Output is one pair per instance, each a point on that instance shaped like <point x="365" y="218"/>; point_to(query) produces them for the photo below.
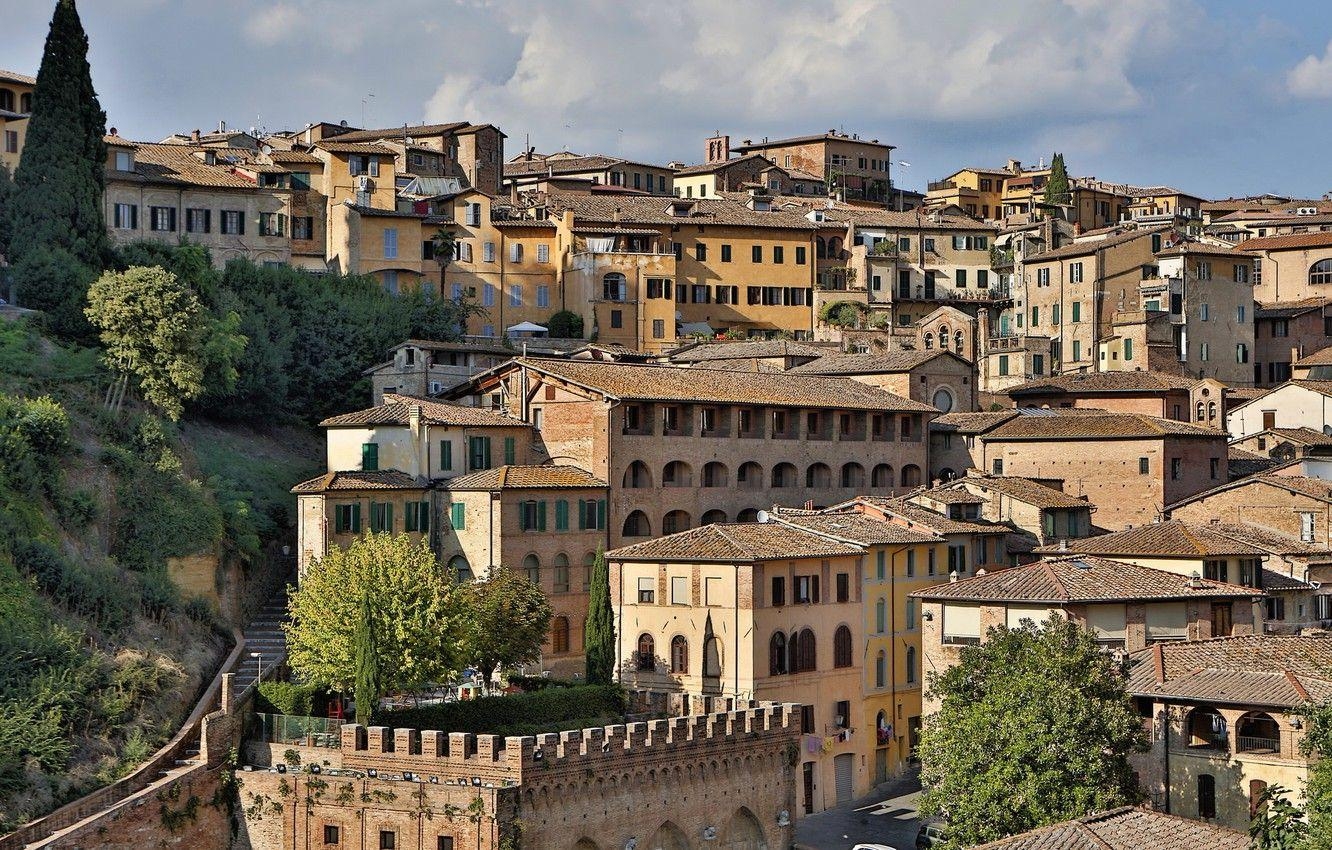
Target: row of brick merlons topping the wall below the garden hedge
<point x="491" y="760"/>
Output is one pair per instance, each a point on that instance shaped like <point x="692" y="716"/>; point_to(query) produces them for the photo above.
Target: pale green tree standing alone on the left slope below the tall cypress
<point x="154" y="331"/>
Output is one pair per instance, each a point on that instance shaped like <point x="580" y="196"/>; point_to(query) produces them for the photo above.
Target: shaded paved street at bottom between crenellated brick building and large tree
<point x="886" y="817"/>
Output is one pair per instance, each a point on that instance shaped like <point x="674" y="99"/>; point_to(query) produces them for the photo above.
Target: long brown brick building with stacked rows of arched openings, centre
<point x="688" y="447"/>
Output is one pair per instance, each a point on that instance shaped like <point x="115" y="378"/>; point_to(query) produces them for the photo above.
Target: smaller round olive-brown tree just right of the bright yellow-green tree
<point x="508" y="622"/>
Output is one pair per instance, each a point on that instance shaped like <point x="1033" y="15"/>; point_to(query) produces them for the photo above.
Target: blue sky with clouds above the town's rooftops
<point x="1218" y="98"/>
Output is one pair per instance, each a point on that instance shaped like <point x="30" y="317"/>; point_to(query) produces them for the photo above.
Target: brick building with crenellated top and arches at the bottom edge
<point x="684" y="783"/>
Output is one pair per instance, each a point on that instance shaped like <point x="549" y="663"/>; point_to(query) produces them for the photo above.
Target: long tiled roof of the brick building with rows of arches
<point x="719" y="386"/>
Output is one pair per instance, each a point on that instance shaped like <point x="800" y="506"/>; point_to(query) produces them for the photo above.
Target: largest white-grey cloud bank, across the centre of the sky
<point x="591" y="67"/>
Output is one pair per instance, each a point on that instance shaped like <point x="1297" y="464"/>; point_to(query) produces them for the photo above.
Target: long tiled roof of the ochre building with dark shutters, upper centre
<point x="656" y="210"/>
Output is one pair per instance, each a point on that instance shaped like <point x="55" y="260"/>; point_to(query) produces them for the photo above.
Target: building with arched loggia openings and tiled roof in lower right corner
<point x="1219" y="716"/>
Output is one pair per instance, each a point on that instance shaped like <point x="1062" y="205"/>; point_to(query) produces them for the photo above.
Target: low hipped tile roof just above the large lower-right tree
<point x="1081" y="580"/>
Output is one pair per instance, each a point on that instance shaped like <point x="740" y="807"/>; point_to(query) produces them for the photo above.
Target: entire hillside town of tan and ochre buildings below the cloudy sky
<point x="673" y="506"/>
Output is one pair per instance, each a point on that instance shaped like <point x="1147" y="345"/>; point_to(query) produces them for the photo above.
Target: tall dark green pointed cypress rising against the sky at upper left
<point x="62" y="175"/>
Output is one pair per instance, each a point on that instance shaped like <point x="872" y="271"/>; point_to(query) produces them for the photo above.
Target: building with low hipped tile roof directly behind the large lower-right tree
<point x="1129" y="607"/>
